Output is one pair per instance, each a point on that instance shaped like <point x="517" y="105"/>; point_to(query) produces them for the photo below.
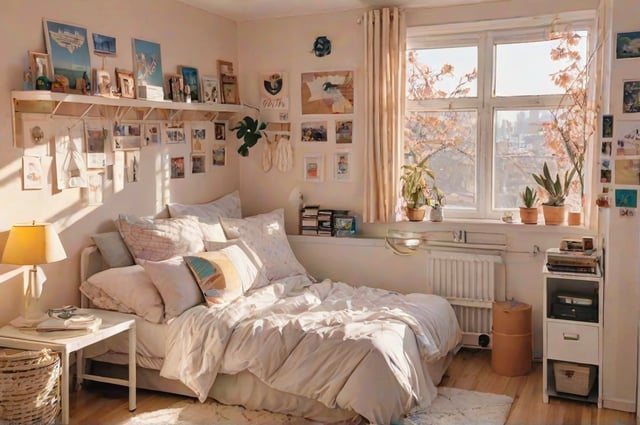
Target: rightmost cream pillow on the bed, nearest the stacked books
<point x="264" y="234"/>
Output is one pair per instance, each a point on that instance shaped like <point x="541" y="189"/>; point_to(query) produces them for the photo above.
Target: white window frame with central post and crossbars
<point x="485" y="35"/>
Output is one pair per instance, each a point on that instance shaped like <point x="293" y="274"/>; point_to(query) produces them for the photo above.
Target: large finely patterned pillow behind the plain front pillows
<point x="157" y="239"/>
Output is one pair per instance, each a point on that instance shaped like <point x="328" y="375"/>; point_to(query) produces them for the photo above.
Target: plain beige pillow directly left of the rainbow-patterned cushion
<point x="176" y="285"/>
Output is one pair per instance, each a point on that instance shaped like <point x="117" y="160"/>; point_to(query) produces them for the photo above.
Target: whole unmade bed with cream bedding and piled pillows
<point x="235" y="317"/>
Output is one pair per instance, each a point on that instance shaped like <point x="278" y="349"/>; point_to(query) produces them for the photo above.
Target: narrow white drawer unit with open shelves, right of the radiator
<point x="572" y="330"/>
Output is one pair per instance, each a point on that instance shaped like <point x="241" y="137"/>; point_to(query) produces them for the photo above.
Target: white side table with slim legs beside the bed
<point x="67" y="342"/>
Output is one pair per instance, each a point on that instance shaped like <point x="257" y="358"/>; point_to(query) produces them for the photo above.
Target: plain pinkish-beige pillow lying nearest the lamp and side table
<point x="125" y="289"/>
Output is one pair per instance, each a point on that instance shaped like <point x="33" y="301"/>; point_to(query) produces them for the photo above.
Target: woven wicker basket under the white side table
<point x="29" y="387"/>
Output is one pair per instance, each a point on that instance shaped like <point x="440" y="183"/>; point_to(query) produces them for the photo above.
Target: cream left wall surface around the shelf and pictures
<point x="187" y="36"/>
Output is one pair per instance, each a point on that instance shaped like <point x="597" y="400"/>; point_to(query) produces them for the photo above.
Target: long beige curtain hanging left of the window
<point x="385" y="46"/>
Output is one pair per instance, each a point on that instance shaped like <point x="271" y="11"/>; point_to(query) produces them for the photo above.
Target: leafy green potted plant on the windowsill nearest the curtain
<point x="415" y="188"/>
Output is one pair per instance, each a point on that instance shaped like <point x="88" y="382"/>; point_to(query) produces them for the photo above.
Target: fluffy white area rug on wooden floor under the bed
<point x="451" y="407"/>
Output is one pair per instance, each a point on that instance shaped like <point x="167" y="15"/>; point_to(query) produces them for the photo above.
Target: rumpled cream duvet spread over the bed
<point x="360" y="349"/>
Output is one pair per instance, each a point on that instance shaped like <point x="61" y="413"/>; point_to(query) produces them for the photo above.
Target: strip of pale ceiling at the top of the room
<point x="250" y="10"/>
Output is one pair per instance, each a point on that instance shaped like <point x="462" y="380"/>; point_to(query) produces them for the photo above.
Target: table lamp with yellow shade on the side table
<point x="33" y="244"/>
